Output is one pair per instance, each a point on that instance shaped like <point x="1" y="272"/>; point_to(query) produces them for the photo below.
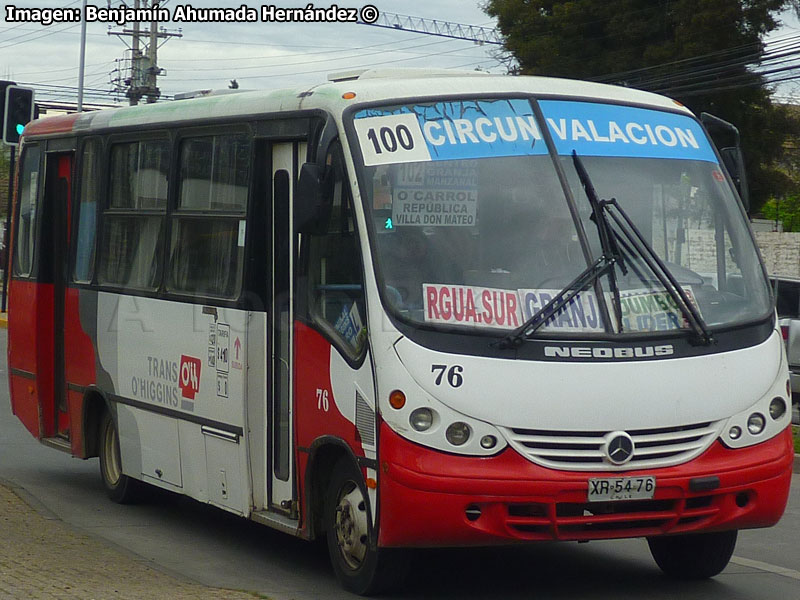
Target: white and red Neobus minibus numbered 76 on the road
<point x="406" y="309"/>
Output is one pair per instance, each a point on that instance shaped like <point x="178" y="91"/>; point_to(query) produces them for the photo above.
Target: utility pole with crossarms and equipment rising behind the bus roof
<point x="144" y="69"/>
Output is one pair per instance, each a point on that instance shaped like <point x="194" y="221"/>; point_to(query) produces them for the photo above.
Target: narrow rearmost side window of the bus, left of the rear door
<point x="27" y="214"/>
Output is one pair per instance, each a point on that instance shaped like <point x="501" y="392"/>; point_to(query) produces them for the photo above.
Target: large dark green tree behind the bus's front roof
<point x="655" y="45"/>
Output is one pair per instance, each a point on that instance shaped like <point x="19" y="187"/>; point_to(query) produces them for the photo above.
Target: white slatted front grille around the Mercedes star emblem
<point x="584" y="451"/>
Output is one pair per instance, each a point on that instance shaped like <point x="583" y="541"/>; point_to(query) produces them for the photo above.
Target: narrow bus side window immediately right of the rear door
<point x="87" y="211"/>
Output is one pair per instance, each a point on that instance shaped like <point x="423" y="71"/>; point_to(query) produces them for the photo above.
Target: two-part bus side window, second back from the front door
<point x="133" y="223"/>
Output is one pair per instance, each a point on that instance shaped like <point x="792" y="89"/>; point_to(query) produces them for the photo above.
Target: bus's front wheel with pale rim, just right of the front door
<point x="360" y="566"/>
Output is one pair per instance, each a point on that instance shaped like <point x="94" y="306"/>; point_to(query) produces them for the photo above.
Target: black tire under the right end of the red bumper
<point x="696" y="556"/>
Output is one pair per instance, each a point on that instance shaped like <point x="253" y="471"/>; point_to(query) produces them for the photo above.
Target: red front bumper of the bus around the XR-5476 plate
<point x="429" y="498"/>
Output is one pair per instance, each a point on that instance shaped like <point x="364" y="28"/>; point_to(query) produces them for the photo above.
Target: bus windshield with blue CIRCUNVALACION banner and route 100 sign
<point x="475" y="226"/>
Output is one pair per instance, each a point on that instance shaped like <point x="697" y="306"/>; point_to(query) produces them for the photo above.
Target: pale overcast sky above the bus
<point x="257" y="55"/>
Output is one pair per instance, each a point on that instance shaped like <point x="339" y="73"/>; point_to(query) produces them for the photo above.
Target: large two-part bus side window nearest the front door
<point x="208" y="229"/>
